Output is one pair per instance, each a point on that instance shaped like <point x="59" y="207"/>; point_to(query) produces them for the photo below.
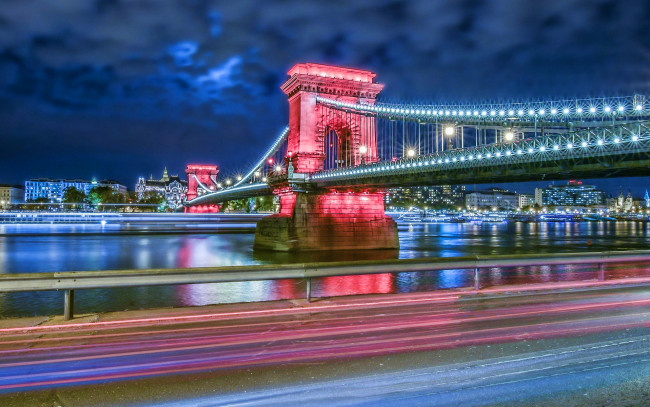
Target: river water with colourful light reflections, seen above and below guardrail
<point x="46" y="248"/>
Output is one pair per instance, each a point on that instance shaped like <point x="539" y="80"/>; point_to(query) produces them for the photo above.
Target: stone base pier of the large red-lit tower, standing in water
<point x="335" y="220"/>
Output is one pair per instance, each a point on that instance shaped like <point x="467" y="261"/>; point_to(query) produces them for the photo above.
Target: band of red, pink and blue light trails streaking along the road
<point x="351" y="329"/>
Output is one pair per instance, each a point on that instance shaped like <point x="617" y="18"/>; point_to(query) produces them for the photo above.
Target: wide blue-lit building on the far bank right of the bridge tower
<point x="572" y="194"/>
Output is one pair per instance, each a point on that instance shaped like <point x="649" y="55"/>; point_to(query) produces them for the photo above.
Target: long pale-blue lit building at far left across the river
<point x="53" y="189"/>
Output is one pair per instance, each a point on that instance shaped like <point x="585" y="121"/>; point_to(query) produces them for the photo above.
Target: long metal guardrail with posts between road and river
<point x="74" y="280"/>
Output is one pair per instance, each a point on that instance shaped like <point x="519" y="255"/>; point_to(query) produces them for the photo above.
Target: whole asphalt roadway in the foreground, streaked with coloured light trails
<point x="445" y="348"/>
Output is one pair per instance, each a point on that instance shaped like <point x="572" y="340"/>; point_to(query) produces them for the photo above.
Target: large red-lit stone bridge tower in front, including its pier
<point x="336" y="218"/>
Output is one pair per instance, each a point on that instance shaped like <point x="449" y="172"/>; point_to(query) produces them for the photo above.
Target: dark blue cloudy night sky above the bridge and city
<point x="119" y="89"/>
